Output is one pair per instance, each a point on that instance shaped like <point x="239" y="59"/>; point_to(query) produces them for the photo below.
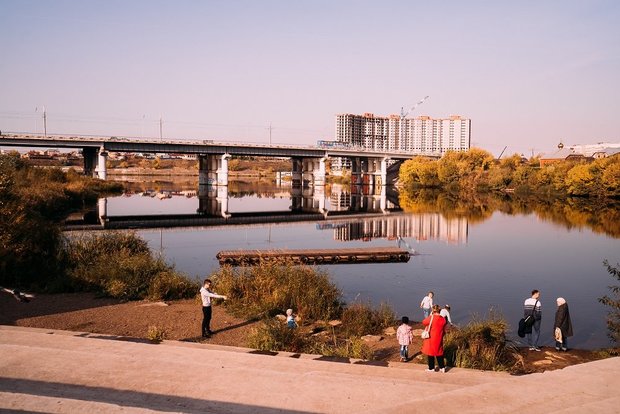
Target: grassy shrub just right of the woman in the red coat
<point x="482" y="344"/>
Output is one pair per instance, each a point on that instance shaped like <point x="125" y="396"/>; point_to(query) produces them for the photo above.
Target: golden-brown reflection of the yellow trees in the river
<point x="600" y="215"/>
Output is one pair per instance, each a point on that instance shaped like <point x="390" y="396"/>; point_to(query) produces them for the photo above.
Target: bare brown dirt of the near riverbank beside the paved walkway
<point x="180" y="320"/>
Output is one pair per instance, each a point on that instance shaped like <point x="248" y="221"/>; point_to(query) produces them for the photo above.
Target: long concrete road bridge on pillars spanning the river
<point x="367" y="166"/>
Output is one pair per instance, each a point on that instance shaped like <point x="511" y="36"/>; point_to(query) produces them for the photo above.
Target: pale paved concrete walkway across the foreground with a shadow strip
<point x="58" y="372"/>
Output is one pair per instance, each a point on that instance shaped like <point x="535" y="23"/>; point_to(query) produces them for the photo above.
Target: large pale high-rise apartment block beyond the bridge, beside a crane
<point x="421" y="135"/>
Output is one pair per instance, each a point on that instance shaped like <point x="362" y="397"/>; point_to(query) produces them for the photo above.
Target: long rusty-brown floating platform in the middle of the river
<point x="315" y="256"/>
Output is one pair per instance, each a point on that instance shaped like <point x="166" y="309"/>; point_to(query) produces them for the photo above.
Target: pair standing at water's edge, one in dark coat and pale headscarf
<point x="562" y="326"/>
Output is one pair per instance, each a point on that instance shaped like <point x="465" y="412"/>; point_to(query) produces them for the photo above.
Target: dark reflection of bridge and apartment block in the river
<point x="352" y="213"/>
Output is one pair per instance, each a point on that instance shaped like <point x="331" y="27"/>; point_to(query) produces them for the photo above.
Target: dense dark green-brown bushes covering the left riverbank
<point x="36" y="255"/>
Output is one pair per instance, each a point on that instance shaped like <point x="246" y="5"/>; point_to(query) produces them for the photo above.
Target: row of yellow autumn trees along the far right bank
<point x="477" y="170"/>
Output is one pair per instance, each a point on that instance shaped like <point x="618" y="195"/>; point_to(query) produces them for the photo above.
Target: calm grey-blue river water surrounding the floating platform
<point x="474" y="265"/>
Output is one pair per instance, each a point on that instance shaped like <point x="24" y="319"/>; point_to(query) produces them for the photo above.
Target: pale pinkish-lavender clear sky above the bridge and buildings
<point x="529" y="74"/>
